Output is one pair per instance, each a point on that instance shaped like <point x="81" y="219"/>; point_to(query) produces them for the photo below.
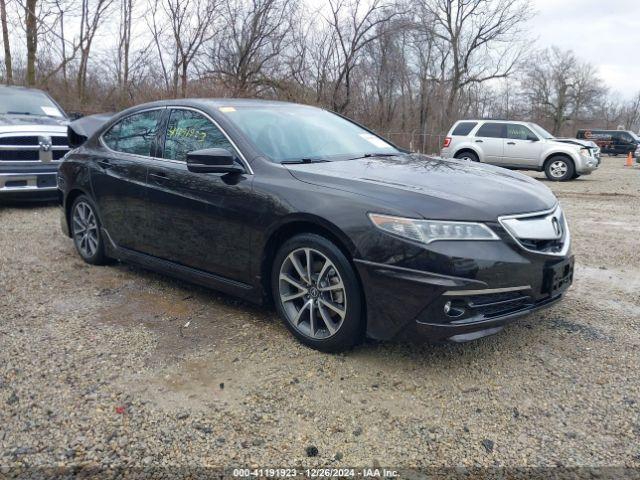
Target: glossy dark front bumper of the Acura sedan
<point x="457" y="291"/>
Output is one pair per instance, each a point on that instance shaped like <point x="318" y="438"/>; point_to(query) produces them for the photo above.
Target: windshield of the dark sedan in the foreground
<point x="295" y="133"/>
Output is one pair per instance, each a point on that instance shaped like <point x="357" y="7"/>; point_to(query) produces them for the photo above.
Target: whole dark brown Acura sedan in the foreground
<point x="347" y="234"/>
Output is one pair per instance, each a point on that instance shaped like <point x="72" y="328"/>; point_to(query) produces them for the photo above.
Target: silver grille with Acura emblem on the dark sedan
<point x="540" y="232"/>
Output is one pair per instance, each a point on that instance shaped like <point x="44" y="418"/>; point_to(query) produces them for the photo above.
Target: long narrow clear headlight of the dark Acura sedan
<point x="427" y="231"/>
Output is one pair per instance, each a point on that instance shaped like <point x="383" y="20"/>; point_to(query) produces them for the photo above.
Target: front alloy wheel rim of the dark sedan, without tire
<point x="312" y="293"/>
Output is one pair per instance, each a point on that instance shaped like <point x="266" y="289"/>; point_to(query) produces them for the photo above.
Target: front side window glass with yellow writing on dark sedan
<point x="188" y="131"/>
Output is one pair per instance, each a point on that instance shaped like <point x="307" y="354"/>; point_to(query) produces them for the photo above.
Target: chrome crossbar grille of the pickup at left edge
<point x="33" y="148"/>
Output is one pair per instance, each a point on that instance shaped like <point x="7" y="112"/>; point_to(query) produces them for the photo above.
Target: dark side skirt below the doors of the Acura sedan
<point x="189" y="274"/>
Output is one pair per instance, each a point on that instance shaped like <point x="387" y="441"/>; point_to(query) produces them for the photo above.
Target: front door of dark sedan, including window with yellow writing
<point x="198" y="219"/>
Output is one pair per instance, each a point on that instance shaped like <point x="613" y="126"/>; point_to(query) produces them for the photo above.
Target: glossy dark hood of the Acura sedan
<point x="435" y="188"/>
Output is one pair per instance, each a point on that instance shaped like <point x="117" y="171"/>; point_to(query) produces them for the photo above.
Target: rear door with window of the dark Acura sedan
<point x="120" y="175"/>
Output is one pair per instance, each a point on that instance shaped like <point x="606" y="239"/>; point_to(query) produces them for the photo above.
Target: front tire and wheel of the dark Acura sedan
<point x="323" y="312"/>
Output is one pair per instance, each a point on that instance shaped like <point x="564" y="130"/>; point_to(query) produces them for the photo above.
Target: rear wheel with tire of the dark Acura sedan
<point x="85" y="228"/>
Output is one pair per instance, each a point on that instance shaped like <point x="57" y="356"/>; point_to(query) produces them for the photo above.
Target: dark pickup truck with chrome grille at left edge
<point x="33" y="139"/>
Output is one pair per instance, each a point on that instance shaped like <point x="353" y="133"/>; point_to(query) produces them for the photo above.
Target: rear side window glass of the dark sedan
<point x="135" y="133"/>
